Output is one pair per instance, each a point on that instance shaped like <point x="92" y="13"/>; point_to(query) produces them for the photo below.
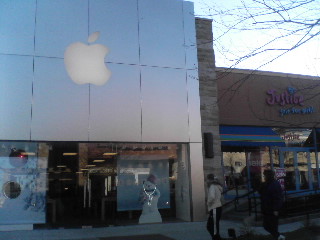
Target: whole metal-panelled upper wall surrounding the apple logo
<point x="153" y="92"/>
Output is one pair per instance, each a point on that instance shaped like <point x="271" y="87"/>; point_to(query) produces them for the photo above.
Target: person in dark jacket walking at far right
<point x="271" y="203"/>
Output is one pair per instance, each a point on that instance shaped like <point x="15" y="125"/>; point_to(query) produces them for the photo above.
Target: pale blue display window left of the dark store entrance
<point x="22" y="182"/>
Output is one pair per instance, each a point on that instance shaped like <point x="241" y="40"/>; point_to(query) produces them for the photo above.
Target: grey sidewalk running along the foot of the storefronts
<point x="177" y="231"/>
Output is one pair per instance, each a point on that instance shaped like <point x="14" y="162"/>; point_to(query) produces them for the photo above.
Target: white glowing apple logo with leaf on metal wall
<point x="85" y="63"/>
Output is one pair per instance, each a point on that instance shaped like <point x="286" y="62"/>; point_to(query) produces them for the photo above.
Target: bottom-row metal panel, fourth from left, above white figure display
<point x="164" y="105"/>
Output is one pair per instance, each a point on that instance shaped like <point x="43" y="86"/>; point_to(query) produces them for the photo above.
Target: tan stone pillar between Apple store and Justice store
<point x="208" y="94"/>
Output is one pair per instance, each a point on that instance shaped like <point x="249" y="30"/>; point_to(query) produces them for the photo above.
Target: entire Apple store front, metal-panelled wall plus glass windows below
<point x="99" y="98"/>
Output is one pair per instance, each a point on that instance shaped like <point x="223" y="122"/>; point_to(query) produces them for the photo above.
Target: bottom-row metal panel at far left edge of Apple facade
<point x="15" y="96"/>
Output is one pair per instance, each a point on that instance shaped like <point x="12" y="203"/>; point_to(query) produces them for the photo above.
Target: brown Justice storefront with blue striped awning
<point x="269" y="120"/>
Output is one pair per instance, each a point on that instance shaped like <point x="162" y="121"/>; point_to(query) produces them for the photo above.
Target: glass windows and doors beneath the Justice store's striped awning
<point x="294" y="164"/>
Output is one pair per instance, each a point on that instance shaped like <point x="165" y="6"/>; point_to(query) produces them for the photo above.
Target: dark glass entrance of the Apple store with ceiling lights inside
<point x="82" y="186"/>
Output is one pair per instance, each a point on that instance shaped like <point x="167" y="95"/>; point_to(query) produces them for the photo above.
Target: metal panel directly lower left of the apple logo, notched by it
<point x="60" y="108"/>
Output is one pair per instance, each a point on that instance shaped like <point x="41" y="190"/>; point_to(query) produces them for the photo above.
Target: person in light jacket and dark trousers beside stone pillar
<point x="214" y="203"/>
